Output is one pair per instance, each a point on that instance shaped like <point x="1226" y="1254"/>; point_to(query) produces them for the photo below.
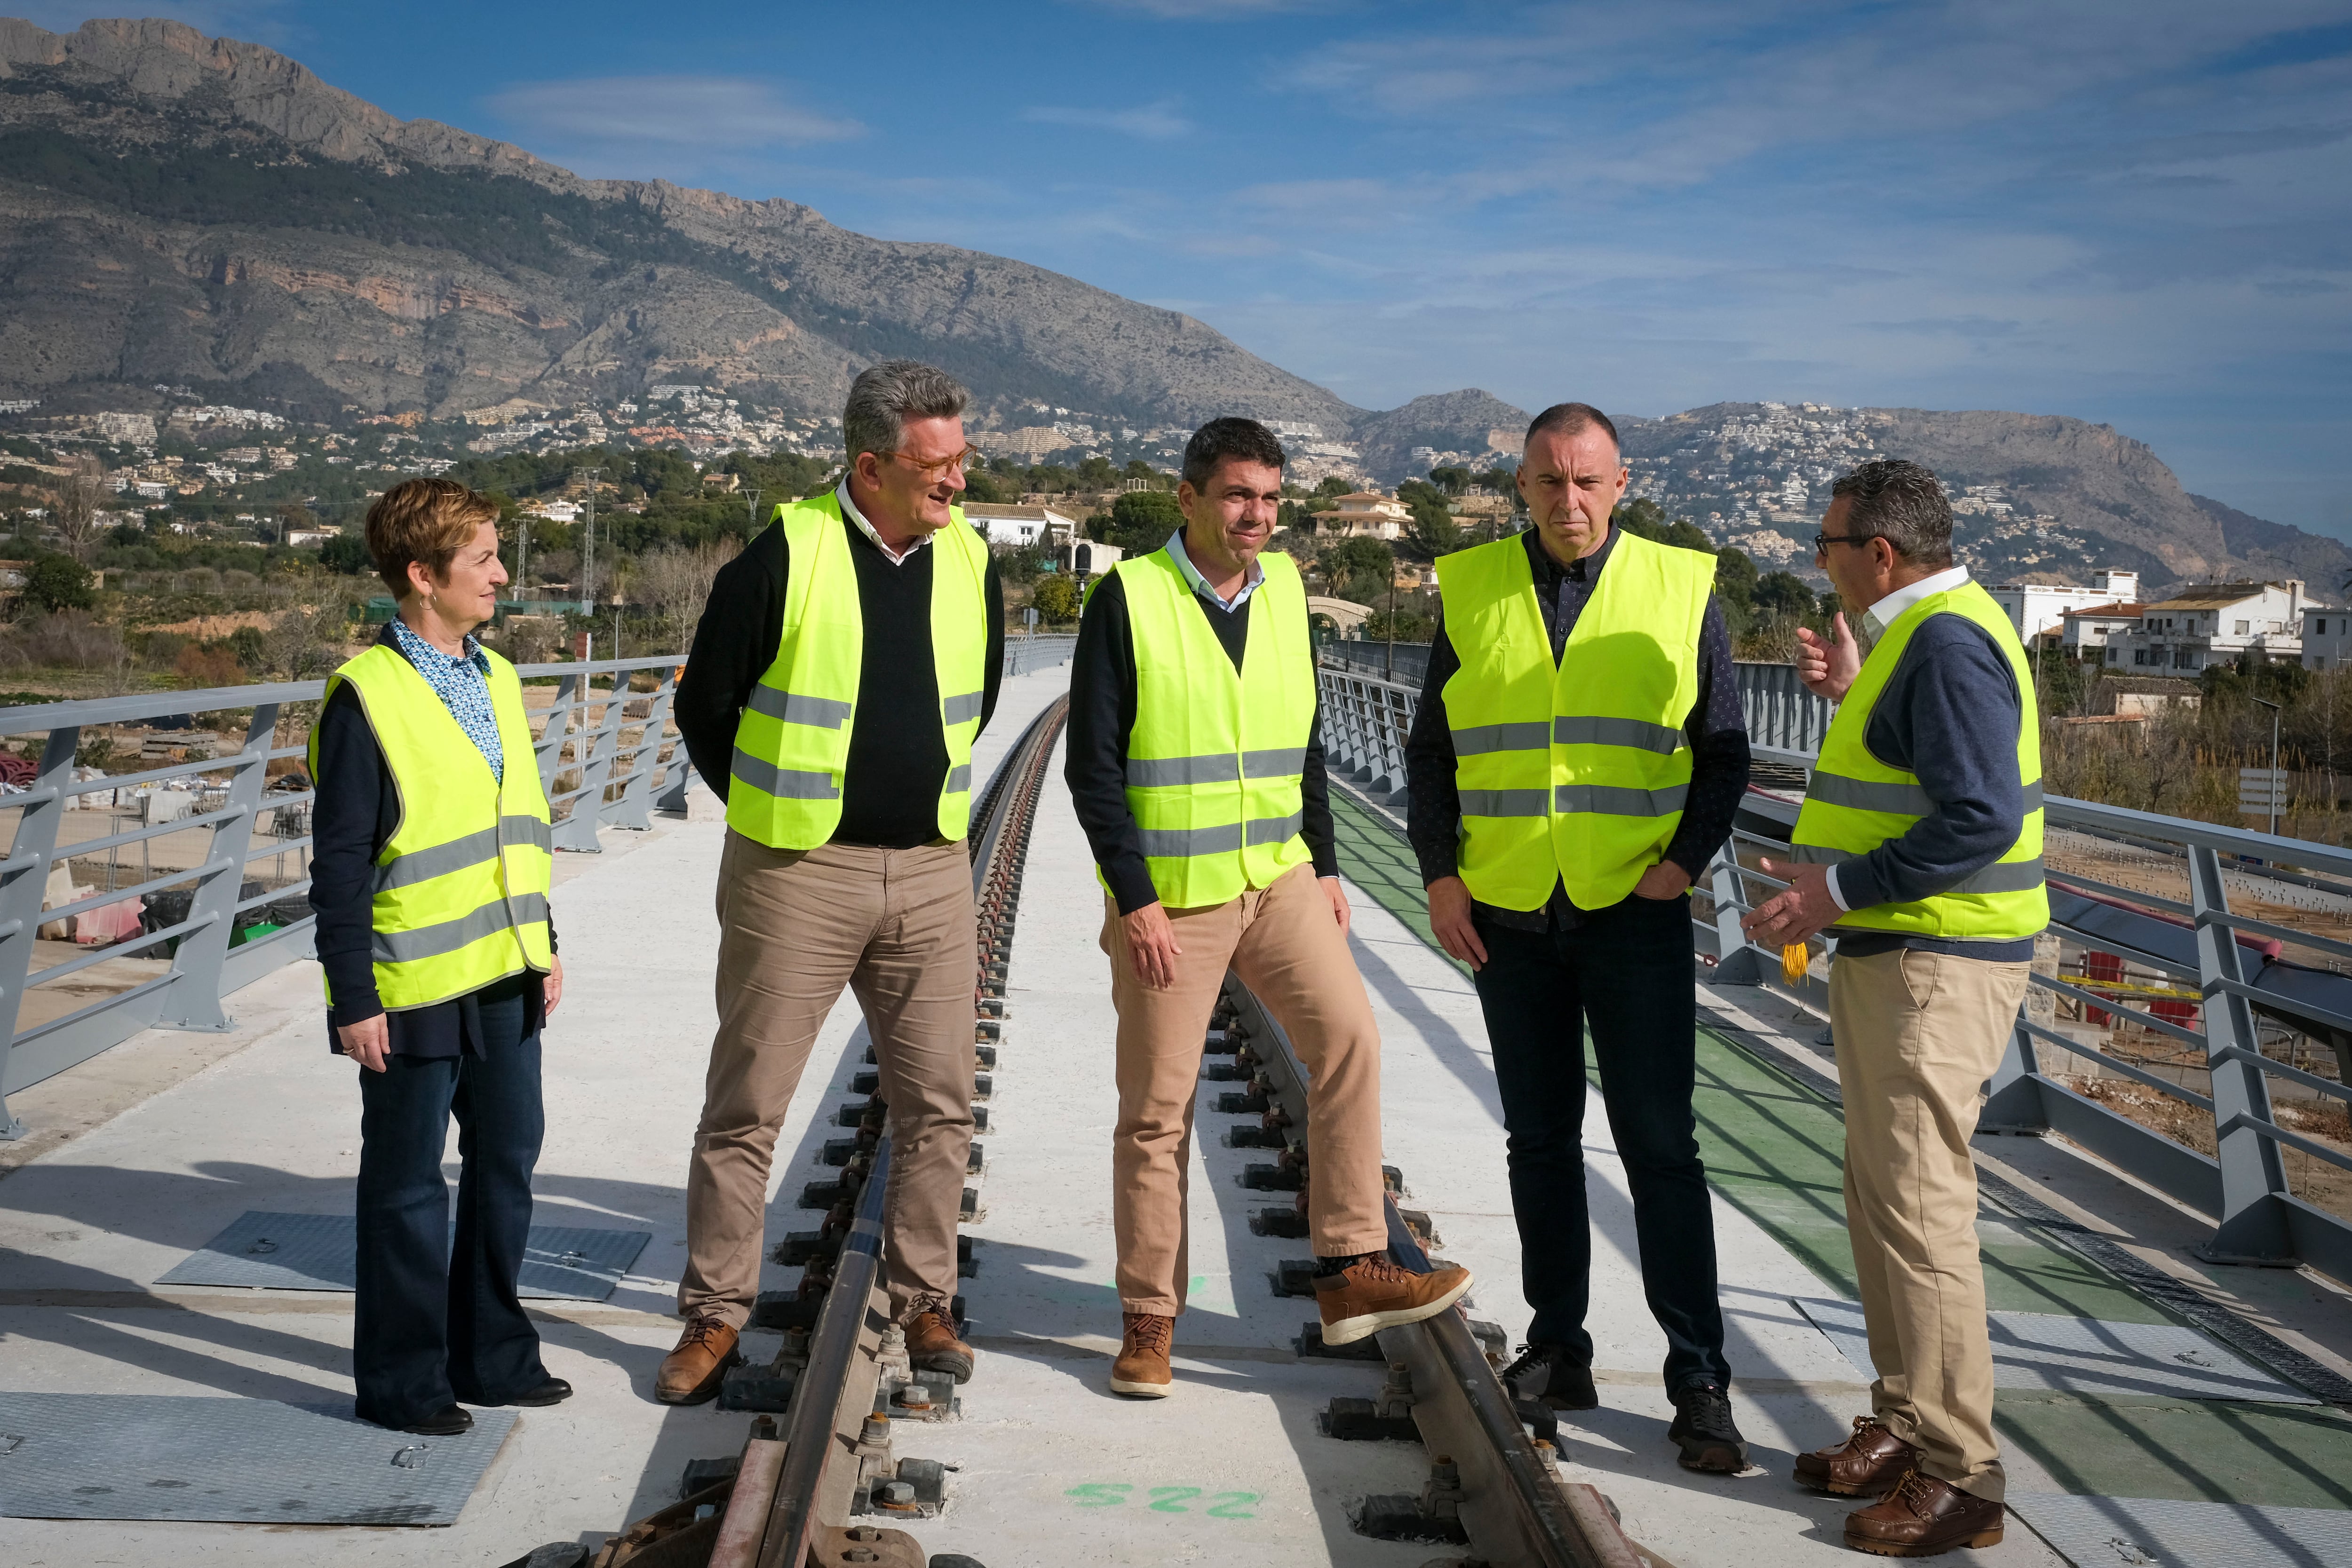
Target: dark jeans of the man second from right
<point x="1626" y="974"/>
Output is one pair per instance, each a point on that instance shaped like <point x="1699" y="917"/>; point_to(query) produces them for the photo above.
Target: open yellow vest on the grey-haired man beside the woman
<point x="794" y="737"/>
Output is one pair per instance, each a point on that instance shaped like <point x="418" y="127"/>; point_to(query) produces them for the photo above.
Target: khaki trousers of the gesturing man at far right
<point x="1918" y="1036"/>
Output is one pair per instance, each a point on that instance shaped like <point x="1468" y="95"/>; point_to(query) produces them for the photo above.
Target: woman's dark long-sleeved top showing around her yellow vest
<point x="354" y="819"/>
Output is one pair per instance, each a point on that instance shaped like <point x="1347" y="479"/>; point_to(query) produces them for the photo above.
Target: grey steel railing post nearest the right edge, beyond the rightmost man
<point x="2252" y="1174"/>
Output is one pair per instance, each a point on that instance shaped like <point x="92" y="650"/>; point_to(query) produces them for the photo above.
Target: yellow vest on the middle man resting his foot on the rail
<point x="1217" y="756"/>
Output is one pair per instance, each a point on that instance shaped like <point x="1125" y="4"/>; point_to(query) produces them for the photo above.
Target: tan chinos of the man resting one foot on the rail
<point x="1288" y="951"/>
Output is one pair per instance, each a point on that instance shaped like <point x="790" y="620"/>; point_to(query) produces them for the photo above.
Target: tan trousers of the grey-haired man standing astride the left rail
<point x="796" y="927"/>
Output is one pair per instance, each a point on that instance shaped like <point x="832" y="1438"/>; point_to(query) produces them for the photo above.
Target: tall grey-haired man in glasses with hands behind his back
<point x="841" y="674"/>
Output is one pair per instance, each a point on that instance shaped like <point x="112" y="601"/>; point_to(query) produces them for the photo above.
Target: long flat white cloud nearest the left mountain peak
<point x="686" y="112"/>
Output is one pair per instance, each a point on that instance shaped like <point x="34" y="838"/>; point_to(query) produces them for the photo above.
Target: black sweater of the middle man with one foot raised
<point x="1104" y="713"/>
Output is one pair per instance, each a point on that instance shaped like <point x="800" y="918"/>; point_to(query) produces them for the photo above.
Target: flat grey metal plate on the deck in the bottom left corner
<point x="250" y="1461"/>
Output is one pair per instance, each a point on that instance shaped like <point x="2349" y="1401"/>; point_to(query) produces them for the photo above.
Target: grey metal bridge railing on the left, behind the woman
<point x="211" y="918"/>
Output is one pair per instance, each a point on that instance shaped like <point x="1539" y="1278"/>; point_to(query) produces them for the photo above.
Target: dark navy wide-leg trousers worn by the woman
<point x="439" y="1322"/>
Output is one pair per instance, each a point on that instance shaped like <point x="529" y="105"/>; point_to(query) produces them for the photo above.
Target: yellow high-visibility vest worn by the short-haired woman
<point x="462" y="887"/>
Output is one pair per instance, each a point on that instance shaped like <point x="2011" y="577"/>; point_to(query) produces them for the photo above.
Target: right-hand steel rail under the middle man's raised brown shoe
<point x="1516" y="1508"/>
